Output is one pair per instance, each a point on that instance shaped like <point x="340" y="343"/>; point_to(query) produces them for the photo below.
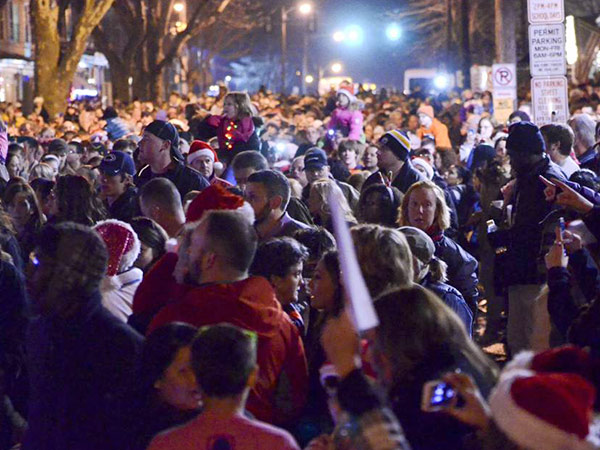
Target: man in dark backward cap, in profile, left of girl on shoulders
<point x="159" y="149"/>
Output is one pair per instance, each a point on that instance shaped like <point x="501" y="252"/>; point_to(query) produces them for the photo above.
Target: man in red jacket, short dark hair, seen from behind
<point x="221" y="251"/>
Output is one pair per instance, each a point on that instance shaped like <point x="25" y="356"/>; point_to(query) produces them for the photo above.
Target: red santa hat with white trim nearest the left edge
<point x="122" y="243"/>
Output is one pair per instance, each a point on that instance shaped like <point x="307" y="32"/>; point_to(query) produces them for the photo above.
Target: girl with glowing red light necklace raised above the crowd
<point x="234" y="129"/>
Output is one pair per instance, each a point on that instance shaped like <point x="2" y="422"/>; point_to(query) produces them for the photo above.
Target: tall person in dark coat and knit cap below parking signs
<point x="524" y="274"/>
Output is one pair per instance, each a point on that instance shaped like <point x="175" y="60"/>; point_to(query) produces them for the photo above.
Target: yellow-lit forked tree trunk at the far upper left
<point x="56" y="60"/>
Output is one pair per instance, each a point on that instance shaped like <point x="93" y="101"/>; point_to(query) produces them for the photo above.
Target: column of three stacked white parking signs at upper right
<point x="547" y="60"/>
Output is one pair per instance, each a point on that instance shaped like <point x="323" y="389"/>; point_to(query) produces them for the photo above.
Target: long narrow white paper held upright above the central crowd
<point x="361" y="304"/>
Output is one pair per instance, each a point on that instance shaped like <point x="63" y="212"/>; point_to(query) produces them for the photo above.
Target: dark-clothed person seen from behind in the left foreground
<point x="81" y="359"/>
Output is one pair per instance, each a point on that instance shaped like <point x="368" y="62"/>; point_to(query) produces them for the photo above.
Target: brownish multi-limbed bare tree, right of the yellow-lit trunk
<point x="140" y="39"/>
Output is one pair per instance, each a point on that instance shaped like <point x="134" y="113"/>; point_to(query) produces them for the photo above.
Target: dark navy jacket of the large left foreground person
<point x="81" y="371"/>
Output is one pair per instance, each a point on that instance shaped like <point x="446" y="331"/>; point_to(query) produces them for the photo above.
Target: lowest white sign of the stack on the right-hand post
<point x="550" y="100"/>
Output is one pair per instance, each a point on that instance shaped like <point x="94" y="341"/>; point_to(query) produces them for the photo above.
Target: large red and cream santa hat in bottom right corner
<point x="547" y="411"/>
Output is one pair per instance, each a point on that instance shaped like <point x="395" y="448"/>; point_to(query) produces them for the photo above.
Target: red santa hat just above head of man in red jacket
<point x="217" y="197"/>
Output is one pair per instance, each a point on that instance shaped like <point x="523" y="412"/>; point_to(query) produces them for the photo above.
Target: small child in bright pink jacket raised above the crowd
<point x="347" y="117"/>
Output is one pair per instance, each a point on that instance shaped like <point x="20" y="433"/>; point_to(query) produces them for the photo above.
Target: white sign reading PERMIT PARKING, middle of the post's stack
<point x="547" y="55"/>
